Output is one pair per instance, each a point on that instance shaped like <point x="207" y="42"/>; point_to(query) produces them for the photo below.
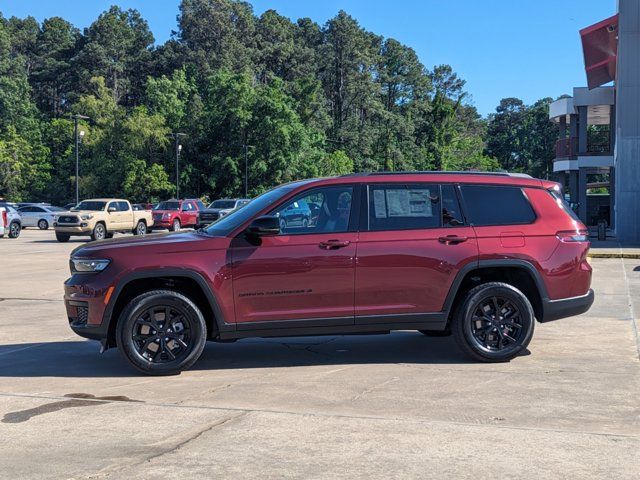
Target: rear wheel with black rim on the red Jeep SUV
<point x="488" y="337"/>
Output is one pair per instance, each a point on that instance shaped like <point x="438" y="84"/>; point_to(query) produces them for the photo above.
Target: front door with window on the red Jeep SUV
<point x="307" y="271"/>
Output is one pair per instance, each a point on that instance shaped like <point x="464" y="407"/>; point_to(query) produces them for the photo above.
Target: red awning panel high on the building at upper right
<point x="600" y="48"/>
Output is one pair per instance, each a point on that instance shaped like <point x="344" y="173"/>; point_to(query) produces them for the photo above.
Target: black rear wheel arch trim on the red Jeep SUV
<point x="519" y="273"/>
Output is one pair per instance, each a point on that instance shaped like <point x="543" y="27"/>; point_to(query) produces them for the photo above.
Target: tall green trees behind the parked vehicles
<point x="289" y="99"/>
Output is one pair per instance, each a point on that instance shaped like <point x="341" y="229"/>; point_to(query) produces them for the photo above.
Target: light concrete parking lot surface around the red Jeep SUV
<point x="389" y="406"/>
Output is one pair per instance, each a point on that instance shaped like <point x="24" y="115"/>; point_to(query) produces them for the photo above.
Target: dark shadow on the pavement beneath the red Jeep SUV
<point x="82" y="358"/>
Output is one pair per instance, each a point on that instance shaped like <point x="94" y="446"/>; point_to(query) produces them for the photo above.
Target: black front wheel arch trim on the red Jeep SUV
<point x="187" y="282"/>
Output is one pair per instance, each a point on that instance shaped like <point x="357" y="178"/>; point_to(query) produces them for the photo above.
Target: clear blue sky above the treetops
<point x="503" y="48"/>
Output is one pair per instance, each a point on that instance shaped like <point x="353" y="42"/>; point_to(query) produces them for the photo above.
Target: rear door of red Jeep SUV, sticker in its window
<point x="410" y="249"/>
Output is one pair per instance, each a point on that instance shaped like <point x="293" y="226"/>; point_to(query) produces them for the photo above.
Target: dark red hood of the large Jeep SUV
<point x="169" y="240"/>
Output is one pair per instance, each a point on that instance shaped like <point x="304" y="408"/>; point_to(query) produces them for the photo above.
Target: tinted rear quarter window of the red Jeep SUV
<point x="488" y="205"/>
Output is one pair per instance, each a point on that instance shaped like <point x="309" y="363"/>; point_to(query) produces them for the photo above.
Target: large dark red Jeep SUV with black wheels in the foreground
<point x="479" y="256"/>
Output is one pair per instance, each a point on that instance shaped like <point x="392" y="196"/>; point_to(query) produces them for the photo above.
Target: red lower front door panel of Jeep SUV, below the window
<point x="292" y="277"/>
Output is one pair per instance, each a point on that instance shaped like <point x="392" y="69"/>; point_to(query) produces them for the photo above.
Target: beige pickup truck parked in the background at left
<point x="100" y="218"/>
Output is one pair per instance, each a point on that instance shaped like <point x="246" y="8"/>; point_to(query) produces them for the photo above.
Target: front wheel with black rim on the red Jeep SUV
<point x="137" y="331"/>
